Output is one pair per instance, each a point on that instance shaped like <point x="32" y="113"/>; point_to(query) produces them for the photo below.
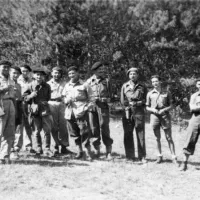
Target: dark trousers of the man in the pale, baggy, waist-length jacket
<point x="80" y="129"/>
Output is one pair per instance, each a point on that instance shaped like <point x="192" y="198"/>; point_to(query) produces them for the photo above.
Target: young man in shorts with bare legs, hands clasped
<point x="159" y="103"/>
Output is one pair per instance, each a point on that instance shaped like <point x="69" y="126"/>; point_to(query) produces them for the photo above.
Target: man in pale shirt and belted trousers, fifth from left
<point x="57" y="107"/>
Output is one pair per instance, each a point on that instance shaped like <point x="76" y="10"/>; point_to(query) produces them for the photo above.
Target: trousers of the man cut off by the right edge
<point x="192" y="135"/>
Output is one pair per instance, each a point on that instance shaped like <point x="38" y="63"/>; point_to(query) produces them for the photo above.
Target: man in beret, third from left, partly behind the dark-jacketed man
<point x="24" y="80"/>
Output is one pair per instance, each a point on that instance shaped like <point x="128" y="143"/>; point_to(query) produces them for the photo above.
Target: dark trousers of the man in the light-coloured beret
<point x="137" y="122"/>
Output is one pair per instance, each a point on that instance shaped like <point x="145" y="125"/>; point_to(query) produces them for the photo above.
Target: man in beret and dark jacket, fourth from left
<point x="38" y="94"/>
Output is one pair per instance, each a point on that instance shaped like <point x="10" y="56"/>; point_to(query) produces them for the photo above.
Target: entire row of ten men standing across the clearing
<point x="81" y="110"/>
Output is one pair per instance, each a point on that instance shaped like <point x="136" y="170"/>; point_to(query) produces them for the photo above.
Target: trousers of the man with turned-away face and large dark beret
<point x="99" y="124"/>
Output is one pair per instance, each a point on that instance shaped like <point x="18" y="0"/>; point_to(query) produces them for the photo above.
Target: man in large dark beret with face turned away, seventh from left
<point x="99" y="91"/>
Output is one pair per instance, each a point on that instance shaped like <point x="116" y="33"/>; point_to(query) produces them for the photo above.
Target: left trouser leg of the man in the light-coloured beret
<point x="128" y="126"/>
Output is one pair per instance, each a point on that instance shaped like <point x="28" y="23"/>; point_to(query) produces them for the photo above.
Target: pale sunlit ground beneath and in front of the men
<point x="65" y="178"/>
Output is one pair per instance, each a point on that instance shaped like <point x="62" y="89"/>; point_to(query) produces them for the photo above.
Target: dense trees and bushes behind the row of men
<point x="159" y="37"/>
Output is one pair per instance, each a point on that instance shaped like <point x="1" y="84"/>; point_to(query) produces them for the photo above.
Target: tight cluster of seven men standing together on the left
<point x="30" y="105"/>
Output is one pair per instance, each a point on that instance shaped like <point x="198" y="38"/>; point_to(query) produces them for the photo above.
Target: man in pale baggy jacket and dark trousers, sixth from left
<point x="75" y="95"/>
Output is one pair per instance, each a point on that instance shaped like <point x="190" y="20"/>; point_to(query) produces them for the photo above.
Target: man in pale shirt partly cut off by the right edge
<point x="193" y="128"/>
